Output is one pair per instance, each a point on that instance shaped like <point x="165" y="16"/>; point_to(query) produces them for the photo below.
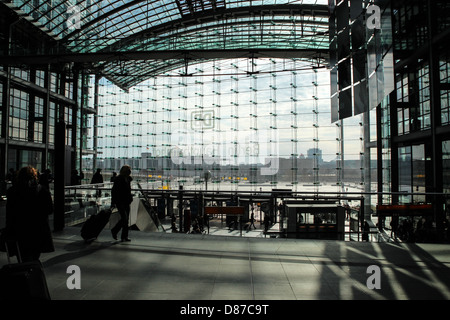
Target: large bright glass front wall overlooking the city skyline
<point x="269" y="127"/>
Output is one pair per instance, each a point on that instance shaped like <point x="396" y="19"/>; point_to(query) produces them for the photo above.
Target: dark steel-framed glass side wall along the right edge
<point x="414" y="129"/>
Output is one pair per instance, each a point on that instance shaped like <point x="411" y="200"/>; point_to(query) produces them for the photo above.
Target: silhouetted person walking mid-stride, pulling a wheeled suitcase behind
<point x="121" y="197"/>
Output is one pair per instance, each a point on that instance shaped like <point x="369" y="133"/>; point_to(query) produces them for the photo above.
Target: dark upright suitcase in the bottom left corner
<point x="23" y="280"/>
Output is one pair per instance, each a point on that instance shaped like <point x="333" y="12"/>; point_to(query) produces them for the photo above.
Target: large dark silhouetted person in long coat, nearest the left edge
<point x="27" y="209"/>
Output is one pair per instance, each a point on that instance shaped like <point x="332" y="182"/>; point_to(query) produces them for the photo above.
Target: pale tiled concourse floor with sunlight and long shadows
<point x="174" y="266"/>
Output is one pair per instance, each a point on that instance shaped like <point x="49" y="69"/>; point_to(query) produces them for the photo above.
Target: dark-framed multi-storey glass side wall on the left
<point x="33" y="111"/>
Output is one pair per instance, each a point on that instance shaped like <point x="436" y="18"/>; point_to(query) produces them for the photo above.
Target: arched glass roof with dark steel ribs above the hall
<point x="92" y="26"/>
